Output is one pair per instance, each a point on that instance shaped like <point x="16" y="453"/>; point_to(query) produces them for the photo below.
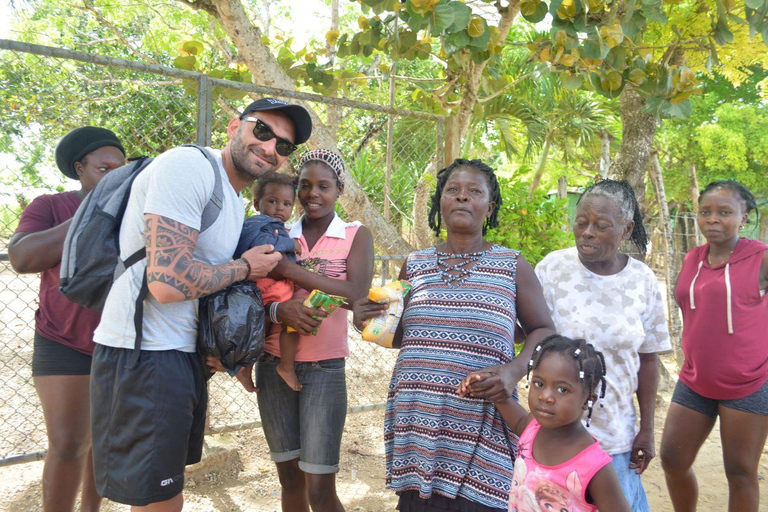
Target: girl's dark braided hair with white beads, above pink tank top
<point x="591" y="364"/>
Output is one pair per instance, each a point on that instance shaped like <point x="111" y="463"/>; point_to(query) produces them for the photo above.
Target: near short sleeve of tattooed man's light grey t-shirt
<point x="180" y="186"/>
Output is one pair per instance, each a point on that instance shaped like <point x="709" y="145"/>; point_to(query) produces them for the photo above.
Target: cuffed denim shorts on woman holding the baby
<point x="307" y="424"/>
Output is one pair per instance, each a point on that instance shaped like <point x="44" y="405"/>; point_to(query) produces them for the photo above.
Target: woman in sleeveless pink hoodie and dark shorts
<point x="721" y="292"/>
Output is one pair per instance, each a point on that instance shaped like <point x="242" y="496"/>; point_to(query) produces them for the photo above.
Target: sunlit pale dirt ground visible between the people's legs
<point x="242" y="478"/>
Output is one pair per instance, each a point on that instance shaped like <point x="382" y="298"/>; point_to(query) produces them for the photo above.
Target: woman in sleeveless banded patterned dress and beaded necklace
<point x="445" y="452"/>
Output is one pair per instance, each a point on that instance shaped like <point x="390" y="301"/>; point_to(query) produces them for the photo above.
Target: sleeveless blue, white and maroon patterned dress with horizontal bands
<point x="436" y="441"/>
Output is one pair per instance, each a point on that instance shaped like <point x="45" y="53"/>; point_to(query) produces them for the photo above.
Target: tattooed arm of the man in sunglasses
<point x="172" y="274"/>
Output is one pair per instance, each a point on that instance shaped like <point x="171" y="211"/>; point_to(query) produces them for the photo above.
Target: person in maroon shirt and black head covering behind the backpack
<point x="63" y="342"/>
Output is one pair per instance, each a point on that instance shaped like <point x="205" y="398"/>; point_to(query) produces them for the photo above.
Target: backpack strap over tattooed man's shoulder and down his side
<point x="210" y="214"/>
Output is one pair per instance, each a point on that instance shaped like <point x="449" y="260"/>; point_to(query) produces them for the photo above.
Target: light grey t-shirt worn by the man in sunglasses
<point x="177" y="185"/>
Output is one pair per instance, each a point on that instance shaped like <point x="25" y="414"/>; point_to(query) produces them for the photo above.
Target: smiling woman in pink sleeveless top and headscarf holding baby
<point x="303" y="428"/>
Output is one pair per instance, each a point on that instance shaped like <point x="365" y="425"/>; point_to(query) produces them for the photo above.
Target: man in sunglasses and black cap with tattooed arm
<point x="148" y="414"/>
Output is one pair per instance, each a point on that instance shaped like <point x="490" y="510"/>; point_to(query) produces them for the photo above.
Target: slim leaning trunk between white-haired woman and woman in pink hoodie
<point x="675" y="329"/>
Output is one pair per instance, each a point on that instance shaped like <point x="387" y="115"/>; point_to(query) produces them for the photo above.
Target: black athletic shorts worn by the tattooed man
<point x="147" y="422"/>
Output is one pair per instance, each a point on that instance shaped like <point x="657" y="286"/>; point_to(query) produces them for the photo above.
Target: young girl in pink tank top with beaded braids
<point x="559" y="465"/>
